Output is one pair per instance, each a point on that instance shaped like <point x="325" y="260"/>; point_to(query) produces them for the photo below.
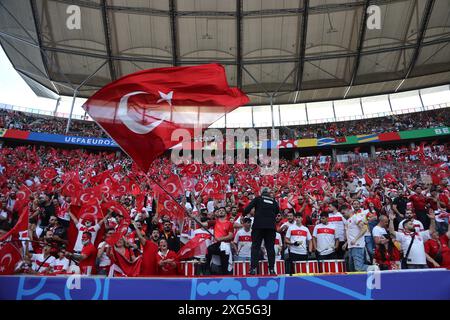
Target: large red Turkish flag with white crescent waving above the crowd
<point x="141" y="111"/>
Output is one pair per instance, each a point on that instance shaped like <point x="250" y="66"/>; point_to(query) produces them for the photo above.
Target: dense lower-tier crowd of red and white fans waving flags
<point x="372" y="207"/>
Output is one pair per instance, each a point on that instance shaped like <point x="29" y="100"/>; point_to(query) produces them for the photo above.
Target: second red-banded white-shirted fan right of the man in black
<point x="325" y="239"/>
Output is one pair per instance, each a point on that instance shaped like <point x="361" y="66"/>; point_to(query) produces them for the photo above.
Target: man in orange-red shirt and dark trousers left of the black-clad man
<point x="223" y="232"/>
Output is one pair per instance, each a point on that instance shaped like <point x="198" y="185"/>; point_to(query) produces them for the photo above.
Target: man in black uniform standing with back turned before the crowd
<point x="266" y="209"/>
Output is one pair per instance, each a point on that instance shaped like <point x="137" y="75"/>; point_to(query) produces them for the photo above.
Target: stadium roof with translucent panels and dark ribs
<point x="305" y="50"/>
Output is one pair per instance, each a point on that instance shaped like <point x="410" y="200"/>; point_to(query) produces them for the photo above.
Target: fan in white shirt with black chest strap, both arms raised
<point x="416" y="257"/>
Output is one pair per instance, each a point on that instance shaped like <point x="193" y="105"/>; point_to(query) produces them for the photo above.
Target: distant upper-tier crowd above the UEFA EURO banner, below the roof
<point x="429" y="119"/>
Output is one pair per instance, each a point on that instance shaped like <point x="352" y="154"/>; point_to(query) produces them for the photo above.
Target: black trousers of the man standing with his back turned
<point x="258" y="235"/>
